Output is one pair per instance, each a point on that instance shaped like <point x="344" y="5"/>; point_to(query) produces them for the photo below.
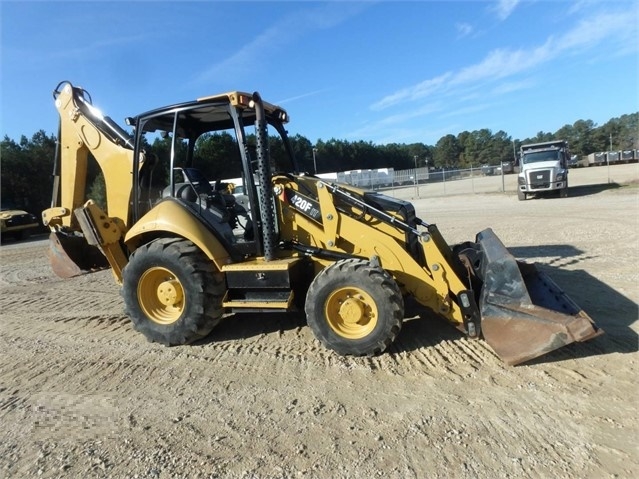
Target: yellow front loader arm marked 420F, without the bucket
<point x="346" y="224"/>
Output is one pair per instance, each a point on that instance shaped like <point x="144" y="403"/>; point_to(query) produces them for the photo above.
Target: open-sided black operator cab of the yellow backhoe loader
<point x="189" y="153"/>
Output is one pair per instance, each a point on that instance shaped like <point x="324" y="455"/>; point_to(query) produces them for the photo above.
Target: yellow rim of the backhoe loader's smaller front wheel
<point x="351" y="312"/>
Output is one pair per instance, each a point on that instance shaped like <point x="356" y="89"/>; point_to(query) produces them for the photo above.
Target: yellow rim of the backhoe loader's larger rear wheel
<point x="161" y="295"/>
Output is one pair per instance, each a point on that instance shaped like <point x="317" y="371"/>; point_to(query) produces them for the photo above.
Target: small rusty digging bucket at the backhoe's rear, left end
<point x="72" y="256"/>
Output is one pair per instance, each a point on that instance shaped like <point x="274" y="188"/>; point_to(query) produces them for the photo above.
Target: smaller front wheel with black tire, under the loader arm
<point x="354" y="308"/>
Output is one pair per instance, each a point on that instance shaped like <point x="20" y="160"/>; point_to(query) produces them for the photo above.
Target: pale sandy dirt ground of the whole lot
<point x="83" y="395"/>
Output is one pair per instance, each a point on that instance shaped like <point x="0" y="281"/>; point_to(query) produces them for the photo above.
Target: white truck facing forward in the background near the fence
<point x="543" y="169"/>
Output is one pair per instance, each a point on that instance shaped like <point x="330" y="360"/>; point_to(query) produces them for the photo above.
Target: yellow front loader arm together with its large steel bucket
<point x="478" y="286"/>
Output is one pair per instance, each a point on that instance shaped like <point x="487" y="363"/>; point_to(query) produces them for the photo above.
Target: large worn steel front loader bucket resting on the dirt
<point x="524" y="314"/>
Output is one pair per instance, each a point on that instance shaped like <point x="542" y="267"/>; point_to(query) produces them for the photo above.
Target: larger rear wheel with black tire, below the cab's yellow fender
<point x="172" y="292"/>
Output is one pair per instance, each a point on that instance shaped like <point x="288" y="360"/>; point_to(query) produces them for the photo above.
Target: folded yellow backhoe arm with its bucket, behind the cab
<point x="84" y="130"/>
